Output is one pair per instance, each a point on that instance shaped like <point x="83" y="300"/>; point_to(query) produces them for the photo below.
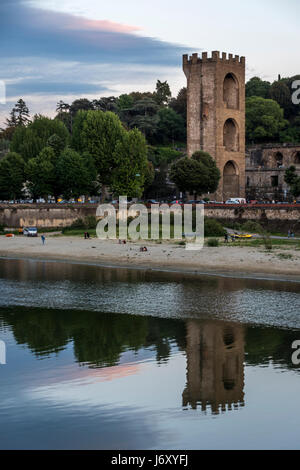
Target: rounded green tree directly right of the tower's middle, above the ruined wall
<point x="264" y="120"/>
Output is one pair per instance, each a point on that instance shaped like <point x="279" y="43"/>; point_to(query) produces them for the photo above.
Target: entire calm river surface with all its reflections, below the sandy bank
<point x="102" y="358"/>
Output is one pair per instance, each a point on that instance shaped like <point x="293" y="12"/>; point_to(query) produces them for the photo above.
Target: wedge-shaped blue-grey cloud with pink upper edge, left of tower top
<point x="28" y="31"/>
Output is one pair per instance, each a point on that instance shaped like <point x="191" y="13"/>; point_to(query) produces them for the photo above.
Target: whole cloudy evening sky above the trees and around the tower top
<point x="55" y="50"/>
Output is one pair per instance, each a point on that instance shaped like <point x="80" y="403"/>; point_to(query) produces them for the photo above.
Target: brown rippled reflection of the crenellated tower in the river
<point x="215" y="366"/>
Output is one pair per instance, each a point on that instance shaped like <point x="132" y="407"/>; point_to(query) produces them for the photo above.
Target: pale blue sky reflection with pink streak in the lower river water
<point x="54" y="403"/>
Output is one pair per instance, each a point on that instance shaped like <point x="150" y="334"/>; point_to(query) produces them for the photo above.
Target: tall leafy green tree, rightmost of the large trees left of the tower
<point x="130" y="157"/>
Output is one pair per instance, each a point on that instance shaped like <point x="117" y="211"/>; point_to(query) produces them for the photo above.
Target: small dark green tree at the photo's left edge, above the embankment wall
<point x="12" y="176"/>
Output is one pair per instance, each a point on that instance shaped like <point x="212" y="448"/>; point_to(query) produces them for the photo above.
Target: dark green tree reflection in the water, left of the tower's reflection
<point x="99" y="338"/>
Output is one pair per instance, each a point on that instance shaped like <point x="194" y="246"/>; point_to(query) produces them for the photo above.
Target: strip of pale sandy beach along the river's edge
<point x="165" y="256"/>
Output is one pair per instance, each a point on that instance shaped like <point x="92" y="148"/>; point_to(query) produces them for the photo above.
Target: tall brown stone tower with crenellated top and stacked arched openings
<point x="216" y="116"/>
